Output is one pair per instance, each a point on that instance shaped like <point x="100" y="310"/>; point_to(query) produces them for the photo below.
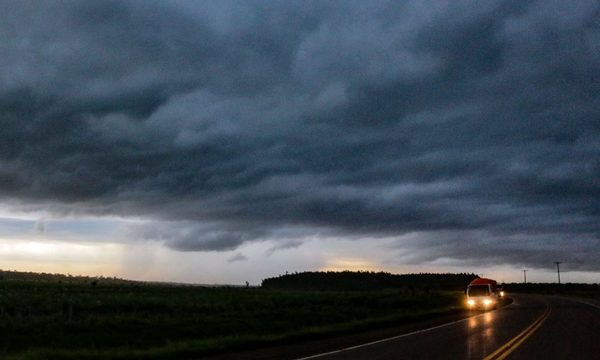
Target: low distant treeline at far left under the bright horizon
<point x="59" y="278"/>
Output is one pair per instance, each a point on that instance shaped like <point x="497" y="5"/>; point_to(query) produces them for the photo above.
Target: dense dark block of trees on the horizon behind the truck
<point x="366" y="280"/>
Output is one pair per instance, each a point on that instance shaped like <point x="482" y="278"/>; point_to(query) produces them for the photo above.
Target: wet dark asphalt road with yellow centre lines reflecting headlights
<point x="532" y="327"/>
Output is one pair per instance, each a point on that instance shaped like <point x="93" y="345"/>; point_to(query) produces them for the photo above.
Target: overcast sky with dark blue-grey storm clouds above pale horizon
<point x="224" y="141"/>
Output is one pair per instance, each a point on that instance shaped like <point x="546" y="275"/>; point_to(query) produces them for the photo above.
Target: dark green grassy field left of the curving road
<point x="83" y="320"/>
